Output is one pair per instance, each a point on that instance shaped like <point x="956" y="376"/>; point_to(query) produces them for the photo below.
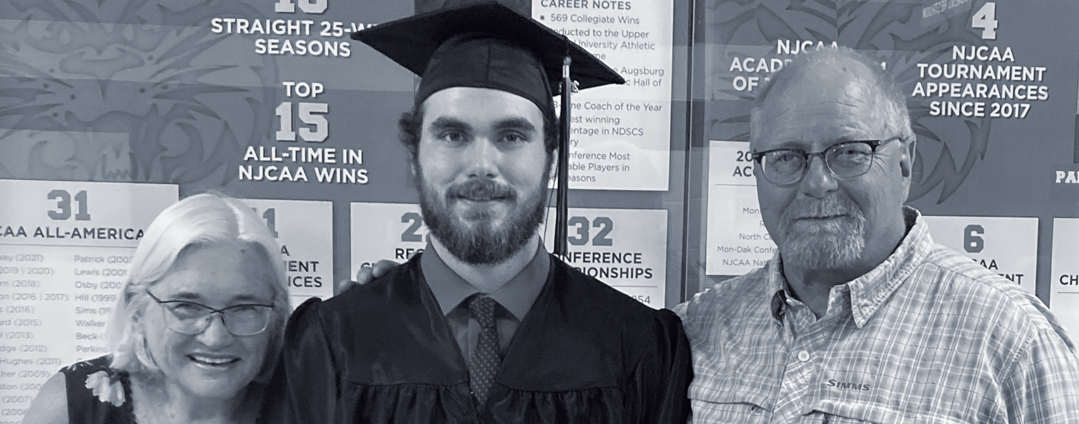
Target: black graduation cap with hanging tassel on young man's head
<point x="489" y="46"/>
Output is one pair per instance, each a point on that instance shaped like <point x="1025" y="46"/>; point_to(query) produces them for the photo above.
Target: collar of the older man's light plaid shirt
<point x="869" y="292"/>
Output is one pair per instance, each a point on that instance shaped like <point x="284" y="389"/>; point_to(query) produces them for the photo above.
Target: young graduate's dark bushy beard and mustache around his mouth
<point x="477" y="239"/>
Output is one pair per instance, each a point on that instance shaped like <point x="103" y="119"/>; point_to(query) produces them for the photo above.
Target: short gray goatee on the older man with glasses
<point x="824" y="247"/>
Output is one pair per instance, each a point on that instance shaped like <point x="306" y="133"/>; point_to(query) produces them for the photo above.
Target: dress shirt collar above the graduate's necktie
<point x="516" y="296"/>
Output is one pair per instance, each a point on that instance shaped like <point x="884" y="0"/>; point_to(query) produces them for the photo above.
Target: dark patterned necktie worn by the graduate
<point x="485" y="359"/>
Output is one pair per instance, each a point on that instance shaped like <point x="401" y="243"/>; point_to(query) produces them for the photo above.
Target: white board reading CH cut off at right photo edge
<point x="1064" y="279"/>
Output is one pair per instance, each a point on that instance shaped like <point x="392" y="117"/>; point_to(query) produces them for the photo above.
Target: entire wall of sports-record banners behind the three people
<point x="111" y="111"/>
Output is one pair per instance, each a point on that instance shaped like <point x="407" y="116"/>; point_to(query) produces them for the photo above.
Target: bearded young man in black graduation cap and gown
<point x="484" y="326"/>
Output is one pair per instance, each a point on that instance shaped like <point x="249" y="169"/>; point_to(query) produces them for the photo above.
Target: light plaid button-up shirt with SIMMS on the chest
<point x="927" y="337"/>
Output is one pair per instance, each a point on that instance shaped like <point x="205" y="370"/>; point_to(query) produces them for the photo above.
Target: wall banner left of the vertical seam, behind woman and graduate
<point x="112" y="111"/>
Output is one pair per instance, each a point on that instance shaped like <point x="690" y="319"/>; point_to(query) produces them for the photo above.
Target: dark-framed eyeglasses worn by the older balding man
<point x="845" y="160"/>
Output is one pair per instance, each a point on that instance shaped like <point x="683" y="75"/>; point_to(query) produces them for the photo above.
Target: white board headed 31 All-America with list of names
<point x="64" y="253"/>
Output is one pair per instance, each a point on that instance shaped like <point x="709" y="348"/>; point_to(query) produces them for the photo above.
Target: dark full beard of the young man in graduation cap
<point x="482" y="244"/>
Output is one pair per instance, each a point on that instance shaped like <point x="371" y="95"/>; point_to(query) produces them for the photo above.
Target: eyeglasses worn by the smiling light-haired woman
<point x="193" y="319"/>
